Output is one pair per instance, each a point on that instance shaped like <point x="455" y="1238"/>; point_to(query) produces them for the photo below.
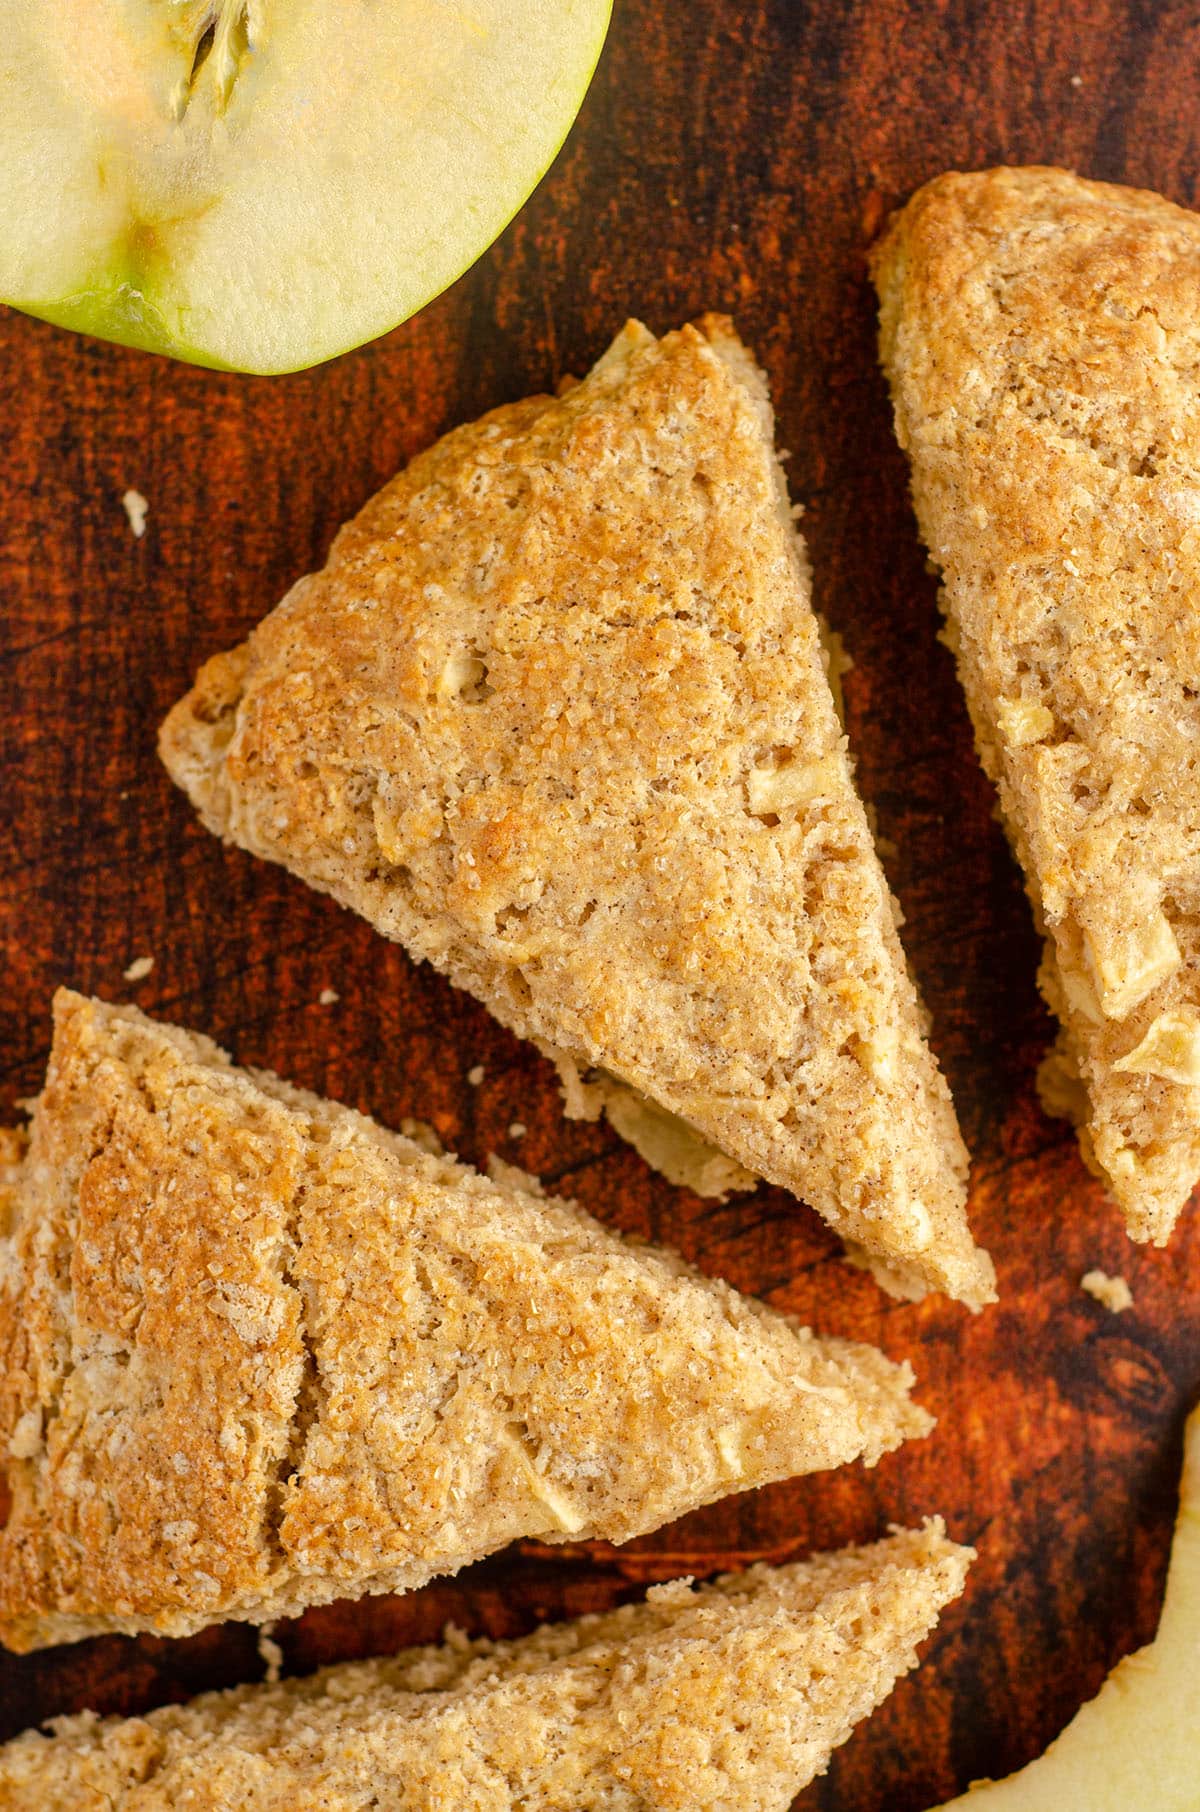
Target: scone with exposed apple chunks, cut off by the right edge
<point x="1041" y="336"/>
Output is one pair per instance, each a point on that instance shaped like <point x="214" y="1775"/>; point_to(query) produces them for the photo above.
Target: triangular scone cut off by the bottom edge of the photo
<point x="730" y="1699"/>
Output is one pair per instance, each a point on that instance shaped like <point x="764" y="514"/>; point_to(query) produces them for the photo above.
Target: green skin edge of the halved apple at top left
<point x="121" y="305"/>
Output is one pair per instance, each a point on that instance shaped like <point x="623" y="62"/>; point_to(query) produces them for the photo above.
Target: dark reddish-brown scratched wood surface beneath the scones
<point x="728" y="159"/>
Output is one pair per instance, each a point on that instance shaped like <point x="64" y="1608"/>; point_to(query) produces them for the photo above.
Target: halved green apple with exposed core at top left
<point x="264" y="184"/>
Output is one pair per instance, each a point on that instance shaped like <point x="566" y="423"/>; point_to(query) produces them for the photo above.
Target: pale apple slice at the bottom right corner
<point x="1137" y="1744"/>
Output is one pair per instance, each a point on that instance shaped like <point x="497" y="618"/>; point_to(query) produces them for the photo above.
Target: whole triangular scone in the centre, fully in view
<point x="556" y="718"/>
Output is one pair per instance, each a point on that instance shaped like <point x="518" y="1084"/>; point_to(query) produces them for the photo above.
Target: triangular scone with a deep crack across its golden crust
<point x="256" y="1353"/>
